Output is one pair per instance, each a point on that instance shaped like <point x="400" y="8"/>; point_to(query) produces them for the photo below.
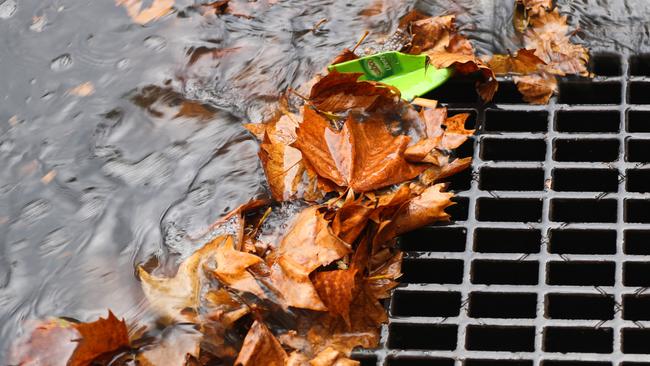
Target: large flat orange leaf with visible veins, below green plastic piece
<point x="363" y="156"/>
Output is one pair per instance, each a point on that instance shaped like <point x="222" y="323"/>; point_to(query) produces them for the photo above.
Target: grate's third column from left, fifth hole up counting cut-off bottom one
<point x="573" y="241"/>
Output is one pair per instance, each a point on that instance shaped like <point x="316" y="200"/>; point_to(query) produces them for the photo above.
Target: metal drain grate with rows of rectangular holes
<point x="548" y="260"/>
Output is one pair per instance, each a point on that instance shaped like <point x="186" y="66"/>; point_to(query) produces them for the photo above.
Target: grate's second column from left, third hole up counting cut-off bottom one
<point x="502" y="305"/>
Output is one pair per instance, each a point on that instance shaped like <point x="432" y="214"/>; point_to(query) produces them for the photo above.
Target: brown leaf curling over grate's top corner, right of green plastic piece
<point x="467" y="64"/>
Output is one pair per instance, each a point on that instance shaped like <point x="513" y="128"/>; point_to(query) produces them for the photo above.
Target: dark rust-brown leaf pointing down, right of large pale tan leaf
<point x="337" y="289"/>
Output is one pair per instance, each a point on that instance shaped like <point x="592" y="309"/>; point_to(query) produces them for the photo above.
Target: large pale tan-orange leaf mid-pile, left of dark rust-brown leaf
<point x="308" y="244"/>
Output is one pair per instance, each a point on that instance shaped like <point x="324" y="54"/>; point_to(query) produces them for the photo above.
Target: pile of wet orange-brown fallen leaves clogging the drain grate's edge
<point x="301" y="279"/>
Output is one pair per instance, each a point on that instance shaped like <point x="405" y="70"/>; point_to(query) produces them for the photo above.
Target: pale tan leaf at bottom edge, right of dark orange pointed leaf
<point x="178" y="343"/>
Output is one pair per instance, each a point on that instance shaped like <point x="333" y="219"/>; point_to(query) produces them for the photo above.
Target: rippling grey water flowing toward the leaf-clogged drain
<point x="91" y="186"/>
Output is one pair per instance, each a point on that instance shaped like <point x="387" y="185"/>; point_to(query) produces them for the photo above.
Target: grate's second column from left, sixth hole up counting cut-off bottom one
<point x="509" y="209"/>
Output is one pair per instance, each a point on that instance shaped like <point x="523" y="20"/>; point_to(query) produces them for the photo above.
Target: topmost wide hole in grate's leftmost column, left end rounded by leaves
<point x="434" y="239"/>
